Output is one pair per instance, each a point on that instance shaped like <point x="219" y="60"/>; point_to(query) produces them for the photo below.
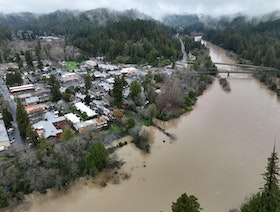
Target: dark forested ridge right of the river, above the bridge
<point x="257" y="42"/>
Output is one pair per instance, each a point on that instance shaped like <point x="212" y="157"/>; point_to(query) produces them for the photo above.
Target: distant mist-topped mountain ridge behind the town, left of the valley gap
<point x="63" y="21"/>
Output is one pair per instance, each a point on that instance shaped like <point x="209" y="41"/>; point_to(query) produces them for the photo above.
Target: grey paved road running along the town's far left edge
<point x="12" y="106"/>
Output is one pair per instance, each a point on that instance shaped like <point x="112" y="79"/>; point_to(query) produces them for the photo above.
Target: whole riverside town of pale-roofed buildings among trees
<point x="74" y="105"/>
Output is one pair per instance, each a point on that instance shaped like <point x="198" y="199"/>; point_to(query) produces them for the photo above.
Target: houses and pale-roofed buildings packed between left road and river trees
<point x="50" y="119"/>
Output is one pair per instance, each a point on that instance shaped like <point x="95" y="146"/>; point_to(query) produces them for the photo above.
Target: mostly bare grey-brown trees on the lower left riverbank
<point x="26" y="170"/>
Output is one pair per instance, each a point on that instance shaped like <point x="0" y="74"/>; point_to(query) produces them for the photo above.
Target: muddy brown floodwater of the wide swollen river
<point x="220" y="152"/>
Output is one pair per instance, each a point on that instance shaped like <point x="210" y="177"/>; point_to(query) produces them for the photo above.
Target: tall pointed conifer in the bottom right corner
<point x="268" y="199"/>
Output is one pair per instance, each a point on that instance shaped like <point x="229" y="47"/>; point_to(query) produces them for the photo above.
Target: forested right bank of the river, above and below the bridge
<point x="254" y="41"/>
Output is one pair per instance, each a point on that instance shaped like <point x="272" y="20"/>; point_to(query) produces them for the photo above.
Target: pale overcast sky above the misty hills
<point x="154" y="8"/>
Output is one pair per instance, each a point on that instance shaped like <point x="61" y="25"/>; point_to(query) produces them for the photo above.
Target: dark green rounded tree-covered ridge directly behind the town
<point x="129" y="41"/>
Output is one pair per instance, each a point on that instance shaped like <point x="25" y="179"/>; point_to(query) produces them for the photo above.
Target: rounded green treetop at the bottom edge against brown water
<point x="186" y="203"/>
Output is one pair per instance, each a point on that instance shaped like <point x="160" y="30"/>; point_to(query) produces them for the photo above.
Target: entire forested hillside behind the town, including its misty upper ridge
<point x="127" y="37"/>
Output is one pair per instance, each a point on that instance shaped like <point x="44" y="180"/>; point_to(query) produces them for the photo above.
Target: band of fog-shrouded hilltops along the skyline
<point x="50" y="22"/>
